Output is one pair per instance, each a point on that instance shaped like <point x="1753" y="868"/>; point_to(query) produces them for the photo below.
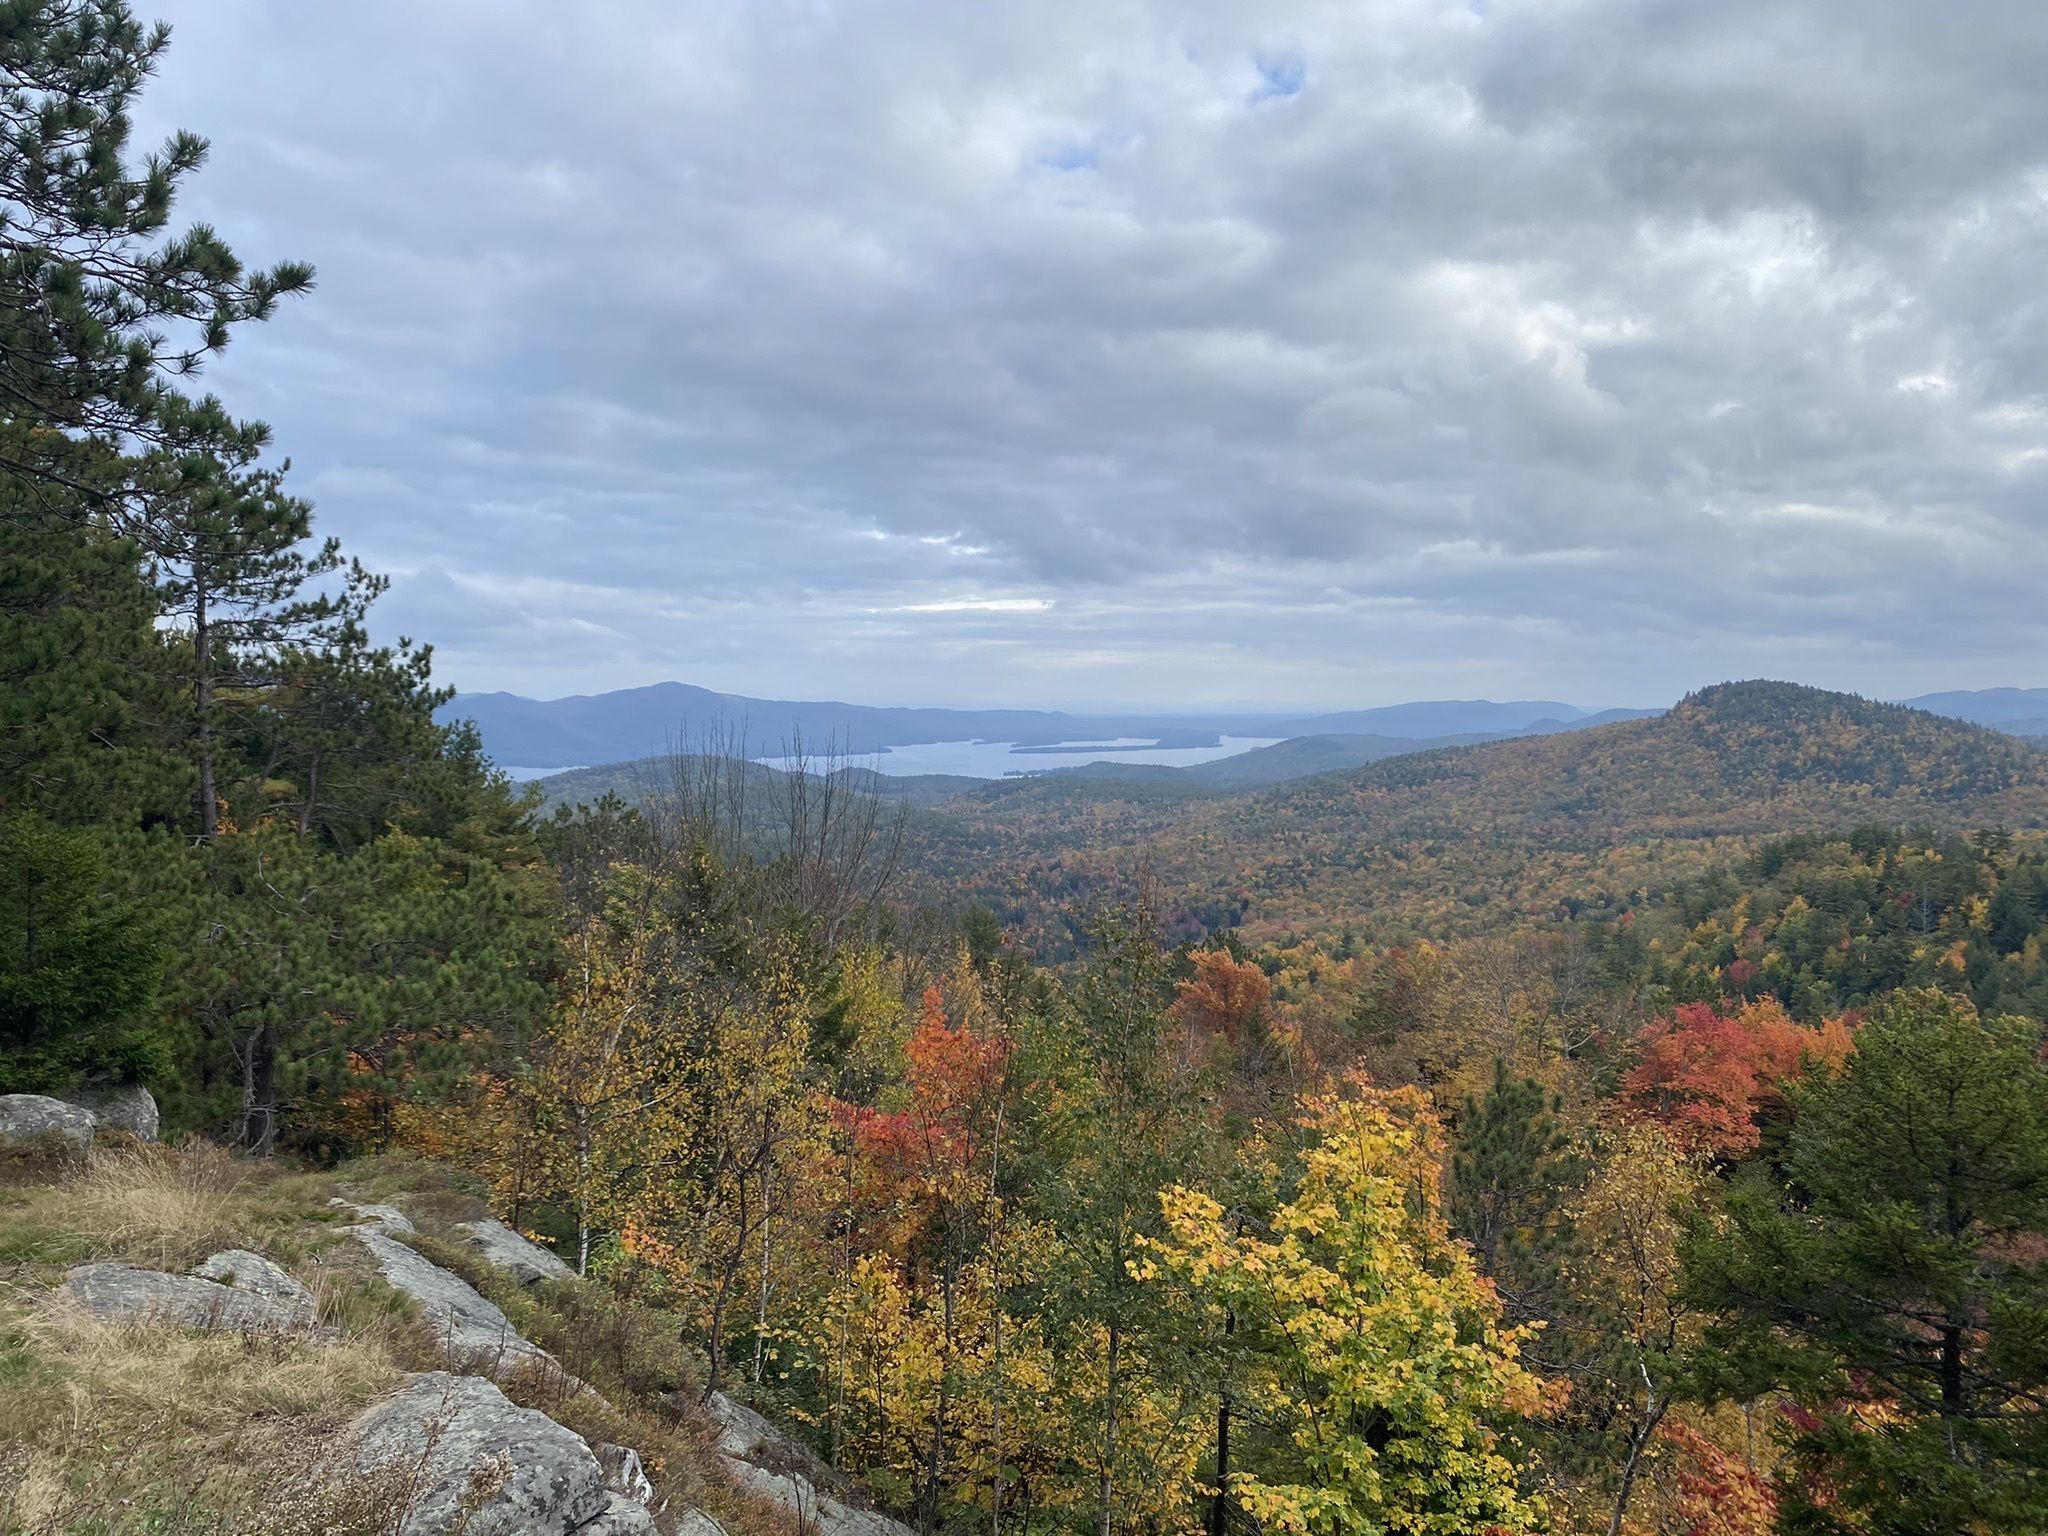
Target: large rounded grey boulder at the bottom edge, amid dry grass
<point x="458" y="1435"/>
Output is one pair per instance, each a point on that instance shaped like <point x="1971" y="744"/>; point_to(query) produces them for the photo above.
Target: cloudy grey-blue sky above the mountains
<point x="1138" y="353"/>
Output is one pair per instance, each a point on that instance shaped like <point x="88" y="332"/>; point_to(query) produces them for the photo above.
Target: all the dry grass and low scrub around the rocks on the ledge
<point x="159" y="1433"/>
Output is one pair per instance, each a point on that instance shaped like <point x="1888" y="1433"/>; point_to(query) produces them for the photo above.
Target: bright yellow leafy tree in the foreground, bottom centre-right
<point x="1373" y="1347"/>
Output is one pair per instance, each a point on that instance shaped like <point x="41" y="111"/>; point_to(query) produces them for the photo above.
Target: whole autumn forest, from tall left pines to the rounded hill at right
<point x="1639" y="1129"/>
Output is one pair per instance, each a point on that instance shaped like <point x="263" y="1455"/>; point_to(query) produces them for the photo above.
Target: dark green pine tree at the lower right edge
<point x="1895" y="1281"/>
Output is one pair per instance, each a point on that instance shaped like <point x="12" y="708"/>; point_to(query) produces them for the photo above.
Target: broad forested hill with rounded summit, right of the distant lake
<point x="1463" y="839"/>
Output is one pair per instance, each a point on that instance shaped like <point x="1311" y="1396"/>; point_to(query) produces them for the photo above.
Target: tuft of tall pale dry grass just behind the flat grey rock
<point x="159" y="1207"/>
